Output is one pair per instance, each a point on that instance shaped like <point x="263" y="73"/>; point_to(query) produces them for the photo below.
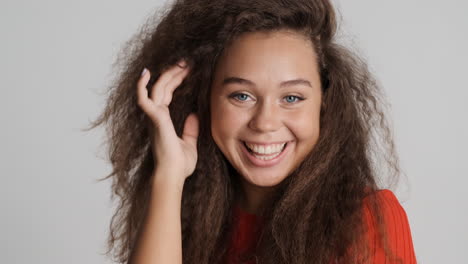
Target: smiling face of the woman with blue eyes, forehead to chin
<point x="265" y="105"/>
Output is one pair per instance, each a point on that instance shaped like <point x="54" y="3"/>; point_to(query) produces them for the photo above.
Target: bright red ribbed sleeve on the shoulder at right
<point x="397" y="227"/>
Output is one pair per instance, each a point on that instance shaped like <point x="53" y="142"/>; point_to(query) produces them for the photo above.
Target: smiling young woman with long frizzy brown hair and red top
<point x="241" y="132"/>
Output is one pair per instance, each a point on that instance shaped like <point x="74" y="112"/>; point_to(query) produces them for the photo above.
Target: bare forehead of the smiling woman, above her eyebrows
<point x="274" y="55"/>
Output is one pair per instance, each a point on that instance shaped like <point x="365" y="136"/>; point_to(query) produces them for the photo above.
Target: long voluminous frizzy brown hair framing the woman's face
<point x="316" y="212"/>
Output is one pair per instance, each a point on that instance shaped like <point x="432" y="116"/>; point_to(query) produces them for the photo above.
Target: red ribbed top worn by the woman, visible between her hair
<point x="247" y="227"/>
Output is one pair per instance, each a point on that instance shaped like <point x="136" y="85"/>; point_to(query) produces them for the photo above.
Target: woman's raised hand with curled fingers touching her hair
<point x="174" y="157"/>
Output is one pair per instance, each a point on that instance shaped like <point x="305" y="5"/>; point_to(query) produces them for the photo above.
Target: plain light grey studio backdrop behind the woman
<point x="55" y="61"/>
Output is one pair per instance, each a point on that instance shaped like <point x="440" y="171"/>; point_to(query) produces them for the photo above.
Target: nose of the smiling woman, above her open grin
<point x="265" y="118"/>
